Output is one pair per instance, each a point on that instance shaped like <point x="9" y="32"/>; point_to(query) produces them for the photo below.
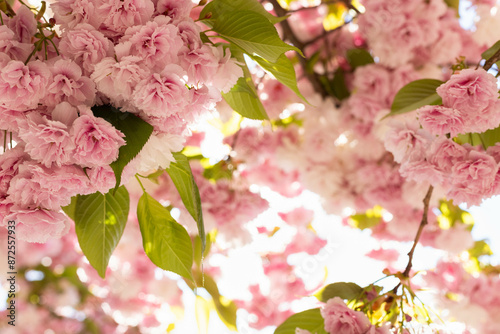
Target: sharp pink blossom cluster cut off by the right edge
<point x="467" y="173"/>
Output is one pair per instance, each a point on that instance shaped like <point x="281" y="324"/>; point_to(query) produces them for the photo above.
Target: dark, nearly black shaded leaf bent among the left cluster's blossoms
<point x="136" y="131"/>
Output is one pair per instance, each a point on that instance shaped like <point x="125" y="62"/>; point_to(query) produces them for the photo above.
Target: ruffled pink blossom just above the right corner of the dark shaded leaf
<point x="162" y="94"/>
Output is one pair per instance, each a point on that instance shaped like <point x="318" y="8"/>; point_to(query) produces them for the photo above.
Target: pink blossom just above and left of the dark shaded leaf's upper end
<point x="69" y="85"/>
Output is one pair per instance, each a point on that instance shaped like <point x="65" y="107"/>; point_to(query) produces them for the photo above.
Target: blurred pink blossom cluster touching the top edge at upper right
<point x="422" y="32"/>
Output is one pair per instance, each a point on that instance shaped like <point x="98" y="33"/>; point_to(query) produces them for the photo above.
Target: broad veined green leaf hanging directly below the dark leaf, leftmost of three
<point x="99" y="224"/>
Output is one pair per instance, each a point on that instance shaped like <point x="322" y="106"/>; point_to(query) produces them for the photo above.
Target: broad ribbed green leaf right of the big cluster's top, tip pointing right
<point x="253" y="33"/>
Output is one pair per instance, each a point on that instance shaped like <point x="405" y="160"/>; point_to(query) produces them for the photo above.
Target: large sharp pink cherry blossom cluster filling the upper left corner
<point x="144" y="57"/>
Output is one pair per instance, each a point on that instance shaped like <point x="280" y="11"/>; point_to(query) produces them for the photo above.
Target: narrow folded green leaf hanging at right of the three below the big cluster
<point x="182" y="176"/>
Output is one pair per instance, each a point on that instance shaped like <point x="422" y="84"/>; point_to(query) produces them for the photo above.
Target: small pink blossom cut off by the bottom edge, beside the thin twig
<point x="341" y="319"/>
